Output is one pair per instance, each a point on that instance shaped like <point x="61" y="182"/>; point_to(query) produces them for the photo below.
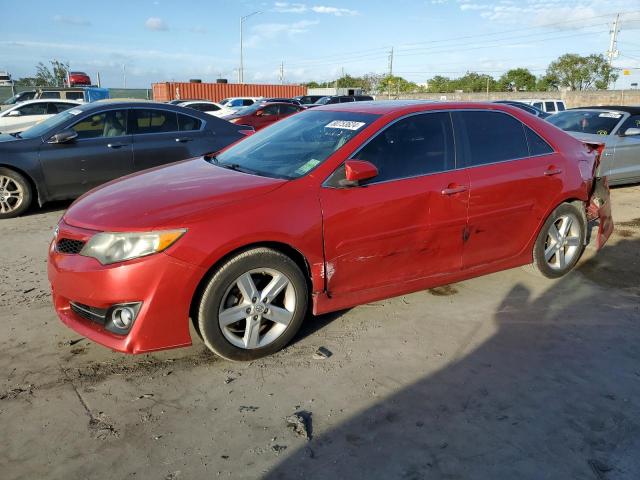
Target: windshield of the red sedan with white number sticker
<point x="296" y="145"/>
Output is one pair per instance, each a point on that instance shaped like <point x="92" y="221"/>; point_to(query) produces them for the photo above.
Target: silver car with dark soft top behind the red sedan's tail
<point x="615" y="126"/>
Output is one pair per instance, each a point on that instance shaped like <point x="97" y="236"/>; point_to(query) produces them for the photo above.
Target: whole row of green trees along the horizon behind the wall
<point x="571" y="71"/>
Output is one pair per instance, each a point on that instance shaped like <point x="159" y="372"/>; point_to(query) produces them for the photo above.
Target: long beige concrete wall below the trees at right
<point x="571" y="99"/>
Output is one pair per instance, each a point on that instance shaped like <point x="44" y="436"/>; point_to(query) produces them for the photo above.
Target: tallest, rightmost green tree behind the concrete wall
<point x="578" y="72"/>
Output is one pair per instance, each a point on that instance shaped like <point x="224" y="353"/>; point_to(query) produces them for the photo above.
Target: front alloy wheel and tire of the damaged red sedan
<point x="253" y="305"/>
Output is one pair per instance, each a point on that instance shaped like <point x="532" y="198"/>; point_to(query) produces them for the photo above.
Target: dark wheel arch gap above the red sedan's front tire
<point x="296" y="255"/>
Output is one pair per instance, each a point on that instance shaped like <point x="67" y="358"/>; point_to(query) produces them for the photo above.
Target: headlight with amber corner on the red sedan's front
<point x="118" y="247"/>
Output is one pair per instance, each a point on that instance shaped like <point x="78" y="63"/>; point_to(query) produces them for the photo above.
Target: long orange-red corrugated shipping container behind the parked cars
<point x="163" y="92"/>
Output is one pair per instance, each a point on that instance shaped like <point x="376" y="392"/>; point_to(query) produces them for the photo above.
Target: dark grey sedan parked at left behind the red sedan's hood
<point x="80" y="148"/>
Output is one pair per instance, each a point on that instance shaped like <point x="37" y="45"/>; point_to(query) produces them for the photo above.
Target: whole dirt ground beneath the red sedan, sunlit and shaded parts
<point x="501" y="377"/>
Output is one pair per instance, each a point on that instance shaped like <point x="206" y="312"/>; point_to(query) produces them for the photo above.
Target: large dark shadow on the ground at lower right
<point x="554" y="393"/>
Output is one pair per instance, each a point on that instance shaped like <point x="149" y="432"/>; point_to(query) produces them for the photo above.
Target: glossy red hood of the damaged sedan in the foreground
<point x="165" y="197"/>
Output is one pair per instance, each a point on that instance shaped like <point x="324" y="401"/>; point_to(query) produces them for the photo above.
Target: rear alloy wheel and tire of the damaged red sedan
<point x="560" y="242"/>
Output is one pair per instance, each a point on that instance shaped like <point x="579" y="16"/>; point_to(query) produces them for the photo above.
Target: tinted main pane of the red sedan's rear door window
<point x="492" y="137"/>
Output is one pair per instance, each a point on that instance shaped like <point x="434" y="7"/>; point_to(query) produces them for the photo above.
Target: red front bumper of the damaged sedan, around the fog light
<point x="163" y="284"/>
